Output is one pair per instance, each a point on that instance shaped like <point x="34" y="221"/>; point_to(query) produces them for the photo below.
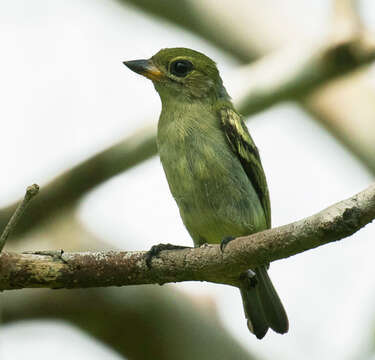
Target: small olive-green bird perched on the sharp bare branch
<point x="213" y="168"/>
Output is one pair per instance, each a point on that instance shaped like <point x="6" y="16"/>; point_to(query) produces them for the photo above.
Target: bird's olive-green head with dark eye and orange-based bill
<point x="181" y="73"/>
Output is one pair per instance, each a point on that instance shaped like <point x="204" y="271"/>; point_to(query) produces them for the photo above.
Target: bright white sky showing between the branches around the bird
<point x="66" y="95"/>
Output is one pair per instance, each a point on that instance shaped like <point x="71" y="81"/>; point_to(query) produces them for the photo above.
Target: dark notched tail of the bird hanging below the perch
<point x="262" y="305"/>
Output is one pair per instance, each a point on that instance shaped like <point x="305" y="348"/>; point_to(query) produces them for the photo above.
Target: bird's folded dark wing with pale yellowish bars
<point x="244" y="148"/>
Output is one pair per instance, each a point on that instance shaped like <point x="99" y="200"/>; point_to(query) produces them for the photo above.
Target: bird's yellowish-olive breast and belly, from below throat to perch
<point x="207" y="180"/>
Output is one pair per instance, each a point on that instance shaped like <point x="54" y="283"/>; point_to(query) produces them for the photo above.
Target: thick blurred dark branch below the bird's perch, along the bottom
<point x="138" y="322"/>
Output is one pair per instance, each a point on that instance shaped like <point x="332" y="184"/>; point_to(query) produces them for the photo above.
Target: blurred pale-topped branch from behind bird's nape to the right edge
<point x="298" y="70"/>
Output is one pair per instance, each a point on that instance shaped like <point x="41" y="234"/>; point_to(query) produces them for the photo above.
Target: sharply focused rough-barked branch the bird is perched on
<point x="117" y="268"/>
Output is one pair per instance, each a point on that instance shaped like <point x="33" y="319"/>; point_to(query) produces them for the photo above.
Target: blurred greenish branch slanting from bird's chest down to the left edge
<point x="66" y="189"/>
